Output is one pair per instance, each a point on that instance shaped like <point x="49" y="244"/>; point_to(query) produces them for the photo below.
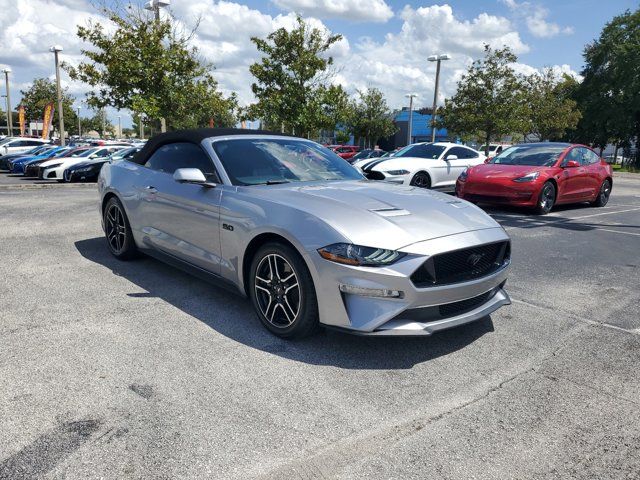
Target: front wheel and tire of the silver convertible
<point x="282" y="291"/>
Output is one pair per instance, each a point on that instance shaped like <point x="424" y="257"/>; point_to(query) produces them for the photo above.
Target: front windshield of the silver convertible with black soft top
<point x="267" y="161"/>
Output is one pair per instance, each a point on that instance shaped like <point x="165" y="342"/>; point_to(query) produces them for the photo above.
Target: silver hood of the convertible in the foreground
<point x="379" y="214"/>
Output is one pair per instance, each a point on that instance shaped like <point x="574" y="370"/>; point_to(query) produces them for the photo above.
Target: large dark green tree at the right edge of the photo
<point x="609" y="95"/>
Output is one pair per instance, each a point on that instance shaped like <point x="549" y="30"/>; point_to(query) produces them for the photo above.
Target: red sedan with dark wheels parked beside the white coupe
<point x="540" y="176"/>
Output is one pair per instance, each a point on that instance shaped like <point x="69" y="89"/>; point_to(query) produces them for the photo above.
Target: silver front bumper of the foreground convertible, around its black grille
<point x="417" y="311"/>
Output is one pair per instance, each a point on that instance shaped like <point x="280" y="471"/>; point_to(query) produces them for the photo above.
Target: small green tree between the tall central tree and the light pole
<point x="371" y="118"/>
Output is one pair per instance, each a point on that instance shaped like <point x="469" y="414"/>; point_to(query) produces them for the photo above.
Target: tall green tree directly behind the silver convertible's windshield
<point x="291" y="79"/>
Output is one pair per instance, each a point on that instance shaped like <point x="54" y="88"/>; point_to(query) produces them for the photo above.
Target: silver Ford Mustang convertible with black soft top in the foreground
<point x="301" y="232"/>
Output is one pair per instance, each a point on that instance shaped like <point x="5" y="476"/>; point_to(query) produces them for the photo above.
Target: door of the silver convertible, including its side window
<point x="181" y="219"/>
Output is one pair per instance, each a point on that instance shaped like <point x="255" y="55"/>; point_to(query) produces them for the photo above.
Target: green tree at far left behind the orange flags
<point x="41" y="92"/>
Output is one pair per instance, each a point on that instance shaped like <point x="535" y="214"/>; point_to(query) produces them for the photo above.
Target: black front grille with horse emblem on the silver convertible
<point x="462" y="265"/>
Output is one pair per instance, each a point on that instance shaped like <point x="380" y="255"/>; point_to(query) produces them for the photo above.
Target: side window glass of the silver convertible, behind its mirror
<point x="169" y="158"/>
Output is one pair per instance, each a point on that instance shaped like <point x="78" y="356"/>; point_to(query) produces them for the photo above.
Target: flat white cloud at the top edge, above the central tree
<point x="354" y="10"/>
